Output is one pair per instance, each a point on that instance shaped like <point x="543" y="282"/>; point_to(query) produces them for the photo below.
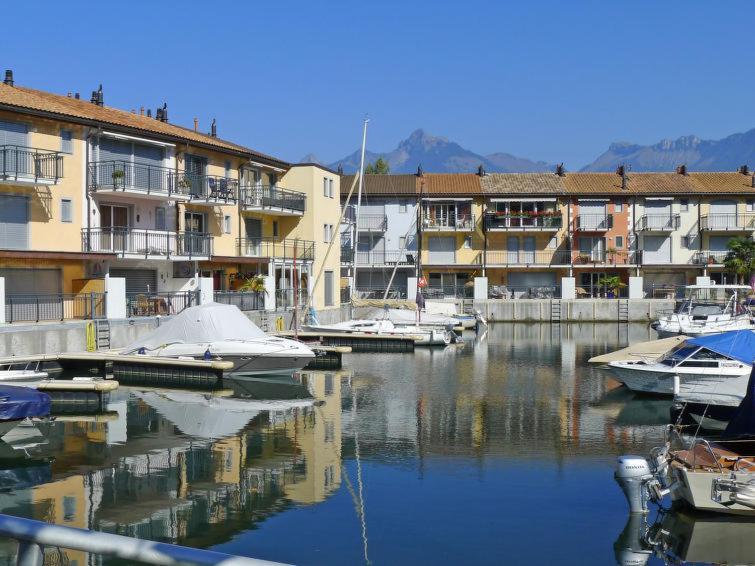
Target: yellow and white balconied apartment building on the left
<point x="89" y="192"/>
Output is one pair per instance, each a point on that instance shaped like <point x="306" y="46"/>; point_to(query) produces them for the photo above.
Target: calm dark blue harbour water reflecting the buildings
<point x="498" y="452"/>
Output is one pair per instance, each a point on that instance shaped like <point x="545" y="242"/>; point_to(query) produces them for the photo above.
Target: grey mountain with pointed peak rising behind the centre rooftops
<point x="439" y="155"/>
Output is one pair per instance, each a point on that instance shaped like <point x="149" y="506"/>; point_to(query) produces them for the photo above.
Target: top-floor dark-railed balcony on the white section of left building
<point x="135" y="178"/>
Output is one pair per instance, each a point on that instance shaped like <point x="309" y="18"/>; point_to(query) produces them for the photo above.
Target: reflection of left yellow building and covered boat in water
<point x="183" y="467"/>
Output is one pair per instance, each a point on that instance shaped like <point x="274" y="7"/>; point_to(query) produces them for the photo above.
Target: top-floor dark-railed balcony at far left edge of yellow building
<point x="30" y="165"/>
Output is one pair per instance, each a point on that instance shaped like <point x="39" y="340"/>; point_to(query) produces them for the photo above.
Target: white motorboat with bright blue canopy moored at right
<point x="710" y="369"/>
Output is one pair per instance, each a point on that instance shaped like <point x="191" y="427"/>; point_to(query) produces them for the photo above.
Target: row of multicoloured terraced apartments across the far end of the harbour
<point x="526" y="231"/>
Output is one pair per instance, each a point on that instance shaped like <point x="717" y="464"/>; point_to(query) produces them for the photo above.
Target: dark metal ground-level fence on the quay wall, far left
<point x="36" y="308"/>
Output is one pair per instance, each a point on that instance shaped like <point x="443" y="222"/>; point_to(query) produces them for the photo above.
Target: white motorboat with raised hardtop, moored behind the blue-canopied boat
<point x="708" y="309"/>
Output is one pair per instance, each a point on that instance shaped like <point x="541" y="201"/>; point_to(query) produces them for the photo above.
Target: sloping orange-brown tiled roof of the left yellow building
<point x="33" y="101"/>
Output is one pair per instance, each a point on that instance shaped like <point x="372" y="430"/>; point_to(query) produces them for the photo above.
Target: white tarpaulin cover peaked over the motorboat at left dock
<point x="211" y="322"/>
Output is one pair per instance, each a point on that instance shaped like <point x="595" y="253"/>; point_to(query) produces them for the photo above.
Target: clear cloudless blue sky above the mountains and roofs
<point x="553" y="80"/>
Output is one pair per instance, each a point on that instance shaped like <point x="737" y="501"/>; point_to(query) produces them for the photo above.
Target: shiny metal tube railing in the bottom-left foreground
<point x="33" y="536"/>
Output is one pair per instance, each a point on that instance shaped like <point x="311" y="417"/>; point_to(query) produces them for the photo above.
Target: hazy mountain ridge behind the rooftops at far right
<point x="699" y="155"/>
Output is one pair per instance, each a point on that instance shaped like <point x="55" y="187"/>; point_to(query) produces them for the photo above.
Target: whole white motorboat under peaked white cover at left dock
<point x="222" y="332"/>
